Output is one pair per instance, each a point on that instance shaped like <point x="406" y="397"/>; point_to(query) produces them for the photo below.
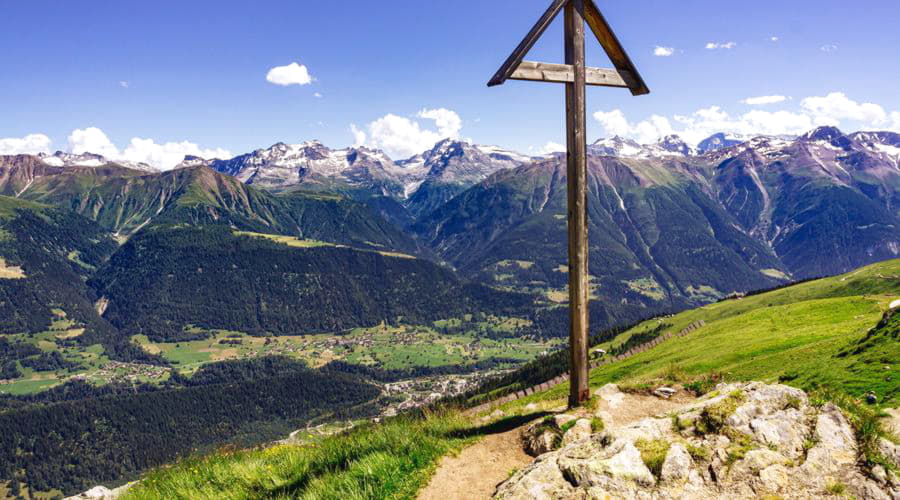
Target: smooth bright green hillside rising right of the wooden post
<point x="807" y="335"/>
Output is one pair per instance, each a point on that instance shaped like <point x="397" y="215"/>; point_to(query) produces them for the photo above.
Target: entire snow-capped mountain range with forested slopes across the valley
<point x="671" y="226"/>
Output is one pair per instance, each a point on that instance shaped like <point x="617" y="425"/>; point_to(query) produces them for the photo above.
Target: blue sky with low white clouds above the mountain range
<point x="191" y="76"/>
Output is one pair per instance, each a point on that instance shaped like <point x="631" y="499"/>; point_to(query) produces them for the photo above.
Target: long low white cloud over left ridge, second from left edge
<point x="162" y="156"/>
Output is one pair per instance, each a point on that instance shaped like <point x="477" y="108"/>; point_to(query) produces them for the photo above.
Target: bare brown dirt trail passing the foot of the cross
<point x="476" y="471"/>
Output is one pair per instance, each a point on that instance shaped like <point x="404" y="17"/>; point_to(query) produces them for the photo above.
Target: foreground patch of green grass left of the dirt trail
<point x="391" y="460"/>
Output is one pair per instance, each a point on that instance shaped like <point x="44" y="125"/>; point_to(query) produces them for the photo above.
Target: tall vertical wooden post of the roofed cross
<point x="576" y="143"/>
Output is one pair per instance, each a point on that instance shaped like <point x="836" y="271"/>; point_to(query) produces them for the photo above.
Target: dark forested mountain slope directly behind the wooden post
<point x="657" y="236"/>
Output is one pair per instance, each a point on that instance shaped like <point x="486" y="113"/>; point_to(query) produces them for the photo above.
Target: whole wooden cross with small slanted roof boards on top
<point x="575" y="76"/>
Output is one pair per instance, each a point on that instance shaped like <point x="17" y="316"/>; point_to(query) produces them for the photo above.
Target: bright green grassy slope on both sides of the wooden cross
<point x="796" y="334"/>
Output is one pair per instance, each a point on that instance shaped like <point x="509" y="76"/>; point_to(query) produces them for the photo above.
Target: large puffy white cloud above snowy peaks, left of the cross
<point x="402" y="137"/>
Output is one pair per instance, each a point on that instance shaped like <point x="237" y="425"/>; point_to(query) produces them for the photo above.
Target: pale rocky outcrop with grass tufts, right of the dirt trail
<point x="747" y="440"/>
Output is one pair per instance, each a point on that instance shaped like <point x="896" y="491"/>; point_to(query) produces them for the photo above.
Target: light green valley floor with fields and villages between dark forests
<point x="452" y="342"/>
